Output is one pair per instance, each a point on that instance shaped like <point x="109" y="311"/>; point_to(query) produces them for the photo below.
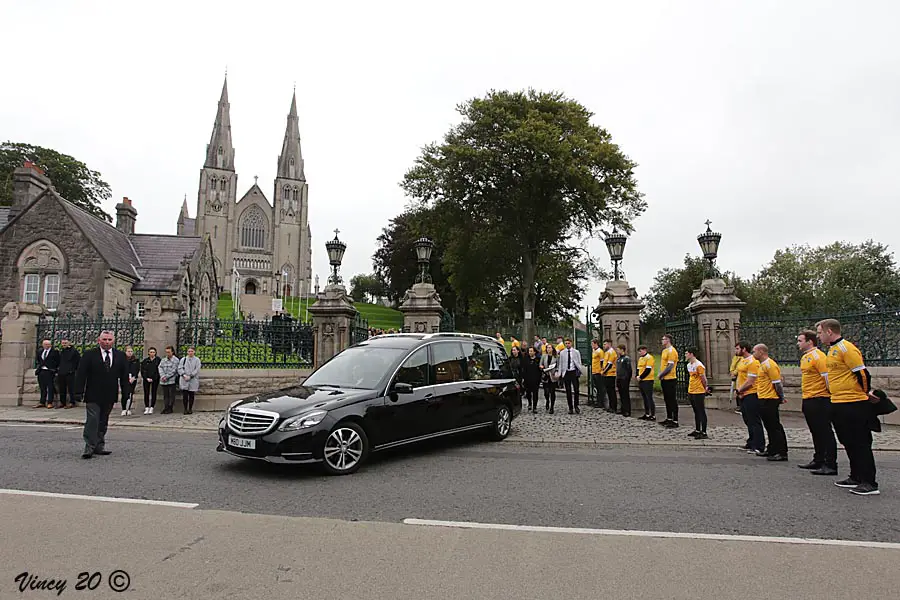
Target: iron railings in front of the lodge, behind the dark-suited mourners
<point x="83" y="330"/>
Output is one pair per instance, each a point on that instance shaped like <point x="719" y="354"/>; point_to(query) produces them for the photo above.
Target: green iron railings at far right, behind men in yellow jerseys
<point x="876" y="333"/>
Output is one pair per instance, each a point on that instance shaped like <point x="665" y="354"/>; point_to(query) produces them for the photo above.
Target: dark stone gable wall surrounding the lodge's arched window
<point x="81" y="283"/>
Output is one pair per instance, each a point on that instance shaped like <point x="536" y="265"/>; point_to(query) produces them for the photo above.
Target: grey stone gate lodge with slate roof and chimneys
<point x="56" y="254"/>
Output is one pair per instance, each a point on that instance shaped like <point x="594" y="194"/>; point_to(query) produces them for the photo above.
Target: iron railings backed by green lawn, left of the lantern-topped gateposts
<point x="280" y="343"/>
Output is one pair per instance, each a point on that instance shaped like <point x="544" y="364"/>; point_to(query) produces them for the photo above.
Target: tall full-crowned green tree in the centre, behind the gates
<point x="526" y="173"/>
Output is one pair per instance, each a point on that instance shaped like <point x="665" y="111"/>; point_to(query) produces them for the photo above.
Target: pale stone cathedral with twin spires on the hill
<point x="260" y="247"/>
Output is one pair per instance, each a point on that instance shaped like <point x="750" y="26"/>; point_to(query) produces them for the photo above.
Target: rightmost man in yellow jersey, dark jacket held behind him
<point x="850" y="385"/>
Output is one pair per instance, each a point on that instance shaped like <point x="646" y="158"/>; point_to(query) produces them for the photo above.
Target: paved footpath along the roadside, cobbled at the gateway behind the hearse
<point x="593" y="426"/>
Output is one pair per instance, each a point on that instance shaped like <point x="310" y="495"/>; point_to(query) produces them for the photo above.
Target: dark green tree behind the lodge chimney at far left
<point x="72" y="178"/>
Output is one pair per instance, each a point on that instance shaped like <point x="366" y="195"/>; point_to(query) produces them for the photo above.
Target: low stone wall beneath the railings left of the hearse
<point x="218" y="387"/>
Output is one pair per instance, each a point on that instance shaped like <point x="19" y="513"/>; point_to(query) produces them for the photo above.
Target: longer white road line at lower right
<point x="656" y="534"/>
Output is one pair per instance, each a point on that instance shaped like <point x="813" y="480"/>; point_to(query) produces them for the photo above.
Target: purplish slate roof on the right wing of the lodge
<point x="162" y="256"/>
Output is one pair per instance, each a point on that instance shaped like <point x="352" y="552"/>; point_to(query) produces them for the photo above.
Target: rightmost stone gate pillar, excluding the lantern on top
<point x="718" y="315"/>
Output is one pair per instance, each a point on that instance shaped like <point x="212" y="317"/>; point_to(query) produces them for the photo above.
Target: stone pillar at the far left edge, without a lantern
<point x="17" y="352"/>
